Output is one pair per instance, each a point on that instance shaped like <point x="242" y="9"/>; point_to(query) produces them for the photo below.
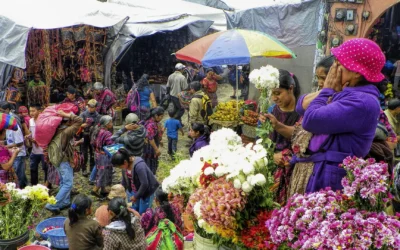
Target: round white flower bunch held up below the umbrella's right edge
<point x="265" y="78"/>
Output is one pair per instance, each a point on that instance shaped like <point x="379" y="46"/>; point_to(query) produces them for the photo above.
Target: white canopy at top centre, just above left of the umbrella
<point x="174" y="8"/>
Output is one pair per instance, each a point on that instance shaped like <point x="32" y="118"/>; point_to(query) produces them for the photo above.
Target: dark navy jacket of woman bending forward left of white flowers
<point x="145" y="181"/>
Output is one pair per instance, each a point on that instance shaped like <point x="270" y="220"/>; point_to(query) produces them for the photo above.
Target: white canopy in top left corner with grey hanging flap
<point x="17" y="17"/>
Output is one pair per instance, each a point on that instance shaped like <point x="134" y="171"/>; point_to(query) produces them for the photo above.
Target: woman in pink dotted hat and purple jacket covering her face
<point x="343" y="116"/>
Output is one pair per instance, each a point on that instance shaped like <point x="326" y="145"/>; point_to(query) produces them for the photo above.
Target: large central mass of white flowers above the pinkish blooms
<point x="242" y="165"/>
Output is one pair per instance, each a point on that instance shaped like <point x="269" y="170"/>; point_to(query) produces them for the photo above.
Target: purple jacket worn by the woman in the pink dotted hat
<point x="350" y="120"/>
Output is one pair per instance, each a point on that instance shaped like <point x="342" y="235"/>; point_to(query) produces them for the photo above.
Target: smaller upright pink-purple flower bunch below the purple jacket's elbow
<point x="366" y="183"/>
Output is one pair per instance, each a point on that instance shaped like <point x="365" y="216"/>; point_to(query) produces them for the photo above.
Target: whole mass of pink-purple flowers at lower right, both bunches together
<point x="353" y="219"/>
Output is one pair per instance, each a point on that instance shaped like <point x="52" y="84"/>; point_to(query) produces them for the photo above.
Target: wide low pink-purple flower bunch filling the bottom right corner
<point x="322" y="220"/>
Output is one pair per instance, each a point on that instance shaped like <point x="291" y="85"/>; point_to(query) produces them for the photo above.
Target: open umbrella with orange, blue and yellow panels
<point x="233" y="47"/>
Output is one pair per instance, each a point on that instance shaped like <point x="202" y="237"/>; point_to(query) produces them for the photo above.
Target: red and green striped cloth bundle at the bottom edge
<point x="164" y="236"/>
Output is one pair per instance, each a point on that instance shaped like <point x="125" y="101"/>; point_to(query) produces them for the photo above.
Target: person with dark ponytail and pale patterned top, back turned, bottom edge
<point x="125" y="231"/>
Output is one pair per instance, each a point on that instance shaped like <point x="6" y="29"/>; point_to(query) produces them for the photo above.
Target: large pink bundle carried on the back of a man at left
<point x="48" y="122"/>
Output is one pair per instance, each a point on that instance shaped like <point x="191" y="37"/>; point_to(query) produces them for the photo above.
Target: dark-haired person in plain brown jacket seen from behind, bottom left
<point x="82" y="232"/>
